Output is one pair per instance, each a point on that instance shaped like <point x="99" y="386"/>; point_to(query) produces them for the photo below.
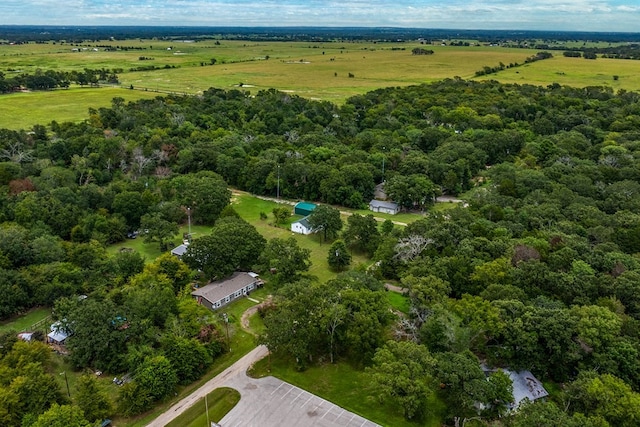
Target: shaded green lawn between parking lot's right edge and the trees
<point x="335" y="383"/>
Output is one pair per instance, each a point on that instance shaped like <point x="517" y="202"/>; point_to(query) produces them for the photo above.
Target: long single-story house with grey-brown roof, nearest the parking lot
<point x="220" y="293"/>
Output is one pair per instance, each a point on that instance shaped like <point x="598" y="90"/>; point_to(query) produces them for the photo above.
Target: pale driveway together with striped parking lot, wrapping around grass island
<point x="267" y="402"/>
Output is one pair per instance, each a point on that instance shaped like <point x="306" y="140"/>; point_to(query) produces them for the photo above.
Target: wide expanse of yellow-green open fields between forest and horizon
<point x="318" y="71"/>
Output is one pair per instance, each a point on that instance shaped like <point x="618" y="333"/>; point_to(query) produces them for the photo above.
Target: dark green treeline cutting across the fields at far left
<point x="51" y="79"/>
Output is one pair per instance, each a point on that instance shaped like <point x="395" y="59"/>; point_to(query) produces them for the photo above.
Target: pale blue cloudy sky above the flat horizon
<point x="554" y="15"/>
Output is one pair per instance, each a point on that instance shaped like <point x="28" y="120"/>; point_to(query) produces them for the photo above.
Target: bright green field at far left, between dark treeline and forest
<point x="23" y="110"/>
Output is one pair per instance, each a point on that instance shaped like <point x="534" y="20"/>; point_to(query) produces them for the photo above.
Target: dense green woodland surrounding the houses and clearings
<point x="540" y="271"/>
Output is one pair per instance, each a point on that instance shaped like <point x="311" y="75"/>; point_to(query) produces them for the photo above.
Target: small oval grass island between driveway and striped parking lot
<point x="220" y="401"/>
